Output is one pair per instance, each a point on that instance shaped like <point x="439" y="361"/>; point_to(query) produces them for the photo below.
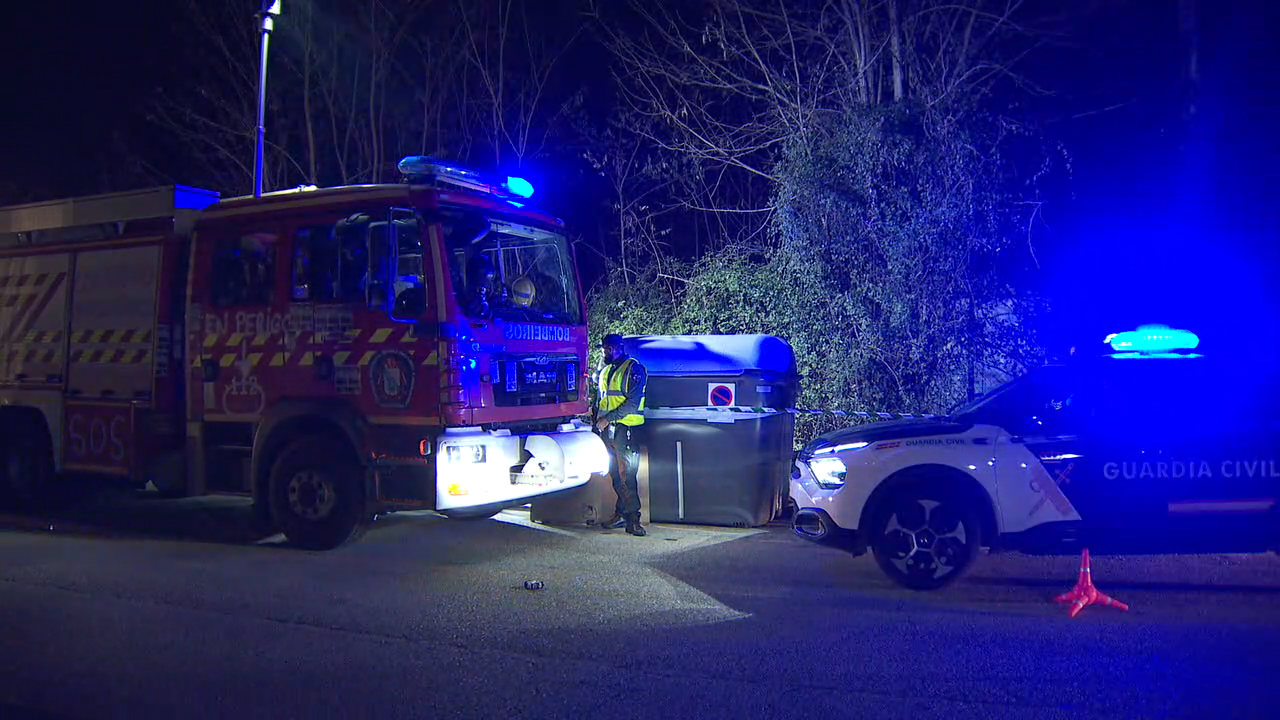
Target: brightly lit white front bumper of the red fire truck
<point x="479" y="468"/>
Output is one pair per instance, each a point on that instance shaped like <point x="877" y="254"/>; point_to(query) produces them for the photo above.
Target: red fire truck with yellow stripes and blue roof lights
<point x="333" y="353"/>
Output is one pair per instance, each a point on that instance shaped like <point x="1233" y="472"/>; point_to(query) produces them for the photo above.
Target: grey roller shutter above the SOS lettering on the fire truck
<point x="113" y="323"/>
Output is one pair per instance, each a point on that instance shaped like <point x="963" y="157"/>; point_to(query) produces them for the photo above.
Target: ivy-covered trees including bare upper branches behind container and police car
<point x="895" y="252"/>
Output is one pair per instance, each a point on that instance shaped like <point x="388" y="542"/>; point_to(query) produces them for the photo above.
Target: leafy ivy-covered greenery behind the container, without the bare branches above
<point x="888" y="272"/>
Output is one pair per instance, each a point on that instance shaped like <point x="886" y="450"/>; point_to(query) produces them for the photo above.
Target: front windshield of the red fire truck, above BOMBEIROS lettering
<point x="505" y="270"/>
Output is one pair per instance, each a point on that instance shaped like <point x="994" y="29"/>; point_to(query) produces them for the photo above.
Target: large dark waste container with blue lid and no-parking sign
<point x="708" y="466"/>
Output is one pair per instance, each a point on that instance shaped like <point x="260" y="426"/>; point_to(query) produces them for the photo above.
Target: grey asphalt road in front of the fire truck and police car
<point x="173" y="609"/>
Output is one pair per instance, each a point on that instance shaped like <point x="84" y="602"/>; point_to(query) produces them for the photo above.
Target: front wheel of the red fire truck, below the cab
<point x="318" y="499"/>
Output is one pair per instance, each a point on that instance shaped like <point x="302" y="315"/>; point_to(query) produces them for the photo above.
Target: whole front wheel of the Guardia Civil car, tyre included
<point x="925" y="537"/>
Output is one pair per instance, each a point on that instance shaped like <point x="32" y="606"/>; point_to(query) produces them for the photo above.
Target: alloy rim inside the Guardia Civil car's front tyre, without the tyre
<point x="926" y="540"/>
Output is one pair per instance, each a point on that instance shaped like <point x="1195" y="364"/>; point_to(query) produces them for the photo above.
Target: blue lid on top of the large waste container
<point x="712" y="354"/>
